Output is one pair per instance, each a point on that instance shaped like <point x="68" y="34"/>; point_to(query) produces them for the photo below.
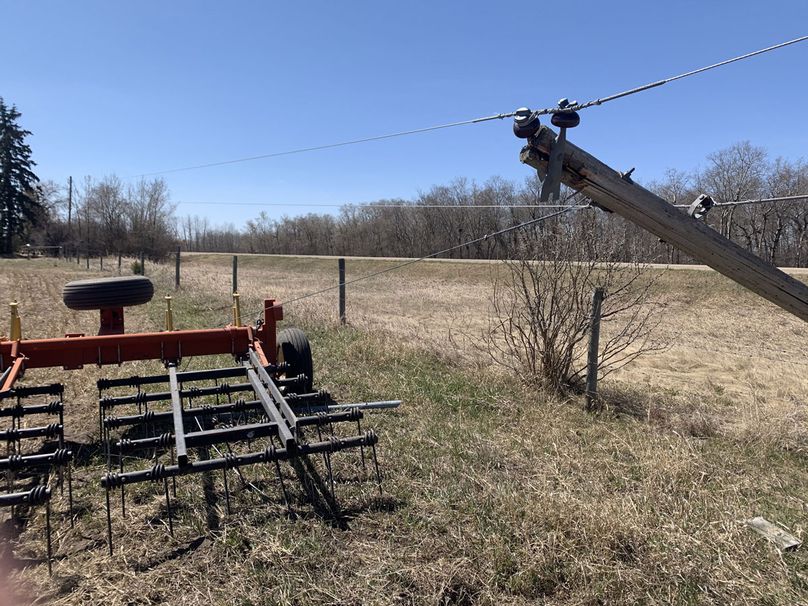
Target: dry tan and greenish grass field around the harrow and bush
<point x="493" y="494"/>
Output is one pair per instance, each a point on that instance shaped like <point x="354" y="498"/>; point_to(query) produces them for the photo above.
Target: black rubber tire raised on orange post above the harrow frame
<point x="102" y="293"/>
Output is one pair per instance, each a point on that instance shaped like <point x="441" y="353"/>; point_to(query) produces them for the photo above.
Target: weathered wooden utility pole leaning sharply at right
<point x="619" y="194"/>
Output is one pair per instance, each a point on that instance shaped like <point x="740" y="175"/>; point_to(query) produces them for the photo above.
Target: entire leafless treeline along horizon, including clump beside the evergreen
<point x="108" y="216"/>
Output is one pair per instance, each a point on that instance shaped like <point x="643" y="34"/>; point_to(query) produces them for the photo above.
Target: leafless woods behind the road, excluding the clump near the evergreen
<point x="776" y="231"/>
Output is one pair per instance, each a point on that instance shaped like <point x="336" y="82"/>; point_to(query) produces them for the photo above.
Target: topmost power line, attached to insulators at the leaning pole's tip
<point x="541" y="112"/>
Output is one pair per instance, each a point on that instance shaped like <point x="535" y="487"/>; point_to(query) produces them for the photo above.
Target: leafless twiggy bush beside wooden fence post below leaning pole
<point x="541" y="309"/>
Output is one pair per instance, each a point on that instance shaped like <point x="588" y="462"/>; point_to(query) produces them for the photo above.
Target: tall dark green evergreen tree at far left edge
<point x="19" y="189"/>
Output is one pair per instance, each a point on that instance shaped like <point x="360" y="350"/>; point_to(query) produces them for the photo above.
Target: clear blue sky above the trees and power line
<point x="135" y="87"/>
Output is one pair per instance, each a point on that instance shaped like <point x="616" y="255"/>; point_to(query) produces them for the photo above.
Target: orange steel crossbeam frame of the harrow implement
<point x="74" y="351"/>
